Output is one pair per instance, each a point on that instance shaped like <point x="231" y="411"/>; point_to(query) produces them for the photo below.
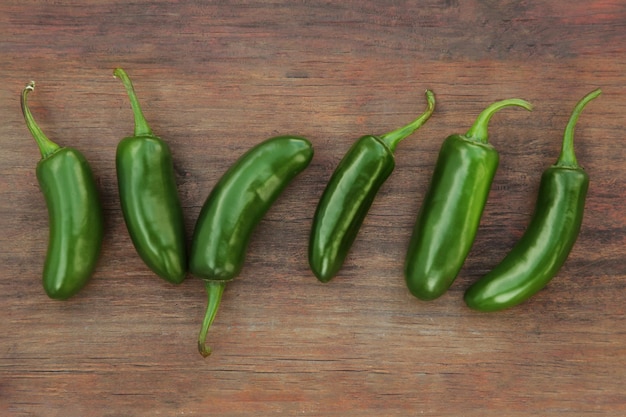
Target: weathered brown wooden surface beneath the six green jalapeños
<point x="216" y="78"/>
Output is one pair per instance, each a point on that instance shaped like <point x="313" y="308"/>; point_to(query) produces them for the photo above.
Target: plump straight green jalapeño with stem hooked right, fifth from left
<point x="448" y="220"/>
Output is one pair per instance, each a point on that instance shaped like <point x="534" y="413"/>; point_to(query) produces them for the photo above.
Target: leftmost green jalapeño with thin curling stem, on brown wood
<point x="74" y="209"/>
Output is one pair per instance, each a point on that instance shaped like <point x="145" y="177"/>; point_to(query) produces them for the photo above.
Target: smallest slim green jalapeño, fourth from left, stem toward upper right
<point x="350" y="193"/>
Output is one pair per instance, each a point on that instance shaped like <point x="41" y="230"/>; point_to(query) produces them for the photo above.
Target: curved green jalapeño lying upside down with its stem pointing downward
<point x="232" y="210"/>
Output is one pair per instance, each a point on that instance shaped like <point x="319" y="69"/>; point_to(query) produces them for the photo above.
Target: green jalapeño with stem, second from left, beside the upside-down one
<point x="149" y="197"/>
